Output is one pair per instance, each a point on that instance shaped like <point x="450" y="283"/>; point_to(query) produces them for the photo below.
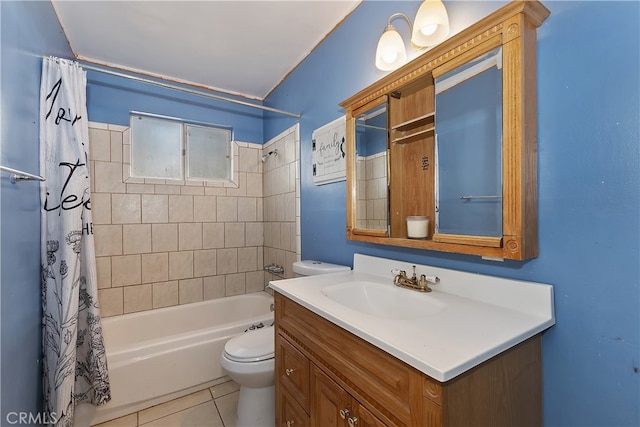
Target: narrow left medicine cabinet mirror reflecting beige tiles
<point x="372" y="205"/>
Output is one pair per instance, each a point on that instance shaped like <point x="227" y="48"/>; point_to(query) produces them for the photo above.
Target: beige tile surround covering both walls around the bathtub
<point x="161" y="243"/>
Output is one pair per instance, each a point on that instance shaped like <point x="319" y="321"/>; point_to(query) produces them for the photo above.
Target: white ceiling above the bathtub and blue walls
<point x="240" y="47"/>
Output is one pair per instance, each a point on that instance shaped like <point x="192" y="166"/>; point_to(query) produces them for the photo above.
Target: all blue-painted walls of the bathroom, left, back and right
<point x="589" y="192"/>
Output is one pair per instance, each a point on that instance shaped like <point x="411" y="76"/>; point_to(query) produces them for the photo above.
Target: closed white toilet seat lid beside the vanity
<point x="252" y="346"/>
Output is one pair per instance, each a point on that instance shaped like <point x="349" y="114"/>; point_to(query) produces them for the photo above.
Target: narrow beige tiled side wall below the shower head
<point x="282" y="202"/>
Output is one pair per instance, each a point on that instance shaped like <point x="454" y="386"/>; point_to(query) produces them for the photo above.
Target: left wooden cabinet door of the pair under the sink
<point x="330" y="404"/>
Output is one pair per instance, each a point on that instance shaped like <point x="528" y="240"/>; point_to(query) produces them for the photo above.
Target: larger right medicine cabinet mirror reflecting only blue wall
<point x="468" y="153"/>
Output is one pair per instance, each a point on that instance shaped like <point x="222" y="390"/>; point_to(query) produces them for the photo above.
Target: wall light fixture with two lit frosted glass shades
<point x="430" y="27"/>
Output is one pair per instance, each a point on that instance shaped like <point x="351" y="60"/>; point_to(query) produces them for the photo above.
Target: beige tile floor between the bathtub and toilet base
<point x="213" y="407"/>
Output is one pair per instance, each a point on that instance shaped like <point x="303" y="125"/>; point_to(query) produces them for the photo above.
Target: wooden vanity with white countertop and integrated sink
<point x="353" y="349"/>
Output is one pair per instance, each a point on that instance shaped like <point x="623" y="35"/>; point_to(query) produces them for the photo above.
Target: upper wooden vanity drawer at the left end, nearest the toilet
<point x="292" y="370"/>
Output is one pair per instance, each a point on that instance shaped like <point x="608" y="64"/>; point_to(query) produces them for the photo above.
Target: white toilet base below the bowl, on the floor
<point x="256" y="407"/>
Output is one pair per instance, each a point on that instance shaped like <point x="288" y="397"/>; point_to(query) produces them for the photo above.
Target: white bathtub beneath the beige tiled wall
<point x="158" y="355"/>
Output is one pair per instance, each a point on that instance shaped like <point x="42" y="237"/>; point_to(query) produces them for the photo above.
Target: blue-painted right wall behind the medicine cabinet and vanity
<point x="589" y="191"/>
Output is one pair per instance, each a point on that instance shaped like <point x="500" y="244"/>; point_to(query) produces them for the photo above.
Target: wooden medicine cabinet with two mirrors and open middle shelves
<point x="452" y="136"/>
